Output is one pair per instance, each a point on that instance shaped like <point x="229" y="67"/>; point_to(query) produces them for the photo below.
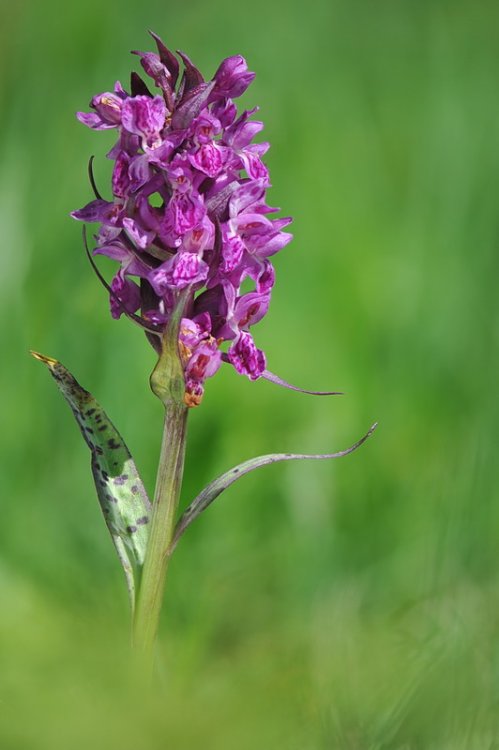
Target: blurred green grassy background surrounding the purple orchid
<point x="351" y="604"/>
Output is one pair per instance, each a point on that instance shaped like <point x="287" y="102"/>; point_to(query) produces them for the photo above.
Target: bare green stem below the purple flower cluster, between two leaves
<point x="166" y="497"/>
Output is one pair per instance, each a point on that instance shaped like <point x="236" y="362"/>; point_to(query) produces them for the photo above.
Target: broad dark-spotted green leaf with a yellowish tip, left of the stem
<point x="122" y="496"/>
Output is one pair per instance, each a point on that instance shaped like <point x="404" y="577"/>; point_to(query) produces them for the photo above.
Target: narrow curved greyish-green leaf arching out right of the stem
<point x="213" y="490"/>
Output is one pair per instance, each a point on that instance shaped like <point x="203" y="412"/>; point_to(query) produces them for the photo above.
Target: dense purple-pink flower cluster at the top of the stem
<point x="188" y="216"/>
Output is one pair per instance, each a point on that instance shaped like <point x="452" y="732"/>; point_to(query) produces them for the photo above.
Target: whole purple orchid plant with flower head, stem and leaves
<point x="189" y="228"/>
